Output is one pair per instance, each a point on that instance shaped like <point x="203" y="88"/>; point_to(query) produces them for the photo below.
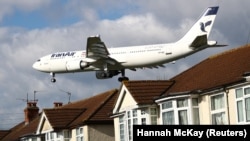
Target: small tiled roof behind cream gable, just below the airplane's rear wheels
<point x="145" y="91"/>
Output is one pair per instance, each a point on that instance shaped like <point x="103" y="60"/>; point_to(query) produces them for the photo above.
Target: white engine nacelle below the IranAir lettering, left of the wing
<point x="76" y="65"/>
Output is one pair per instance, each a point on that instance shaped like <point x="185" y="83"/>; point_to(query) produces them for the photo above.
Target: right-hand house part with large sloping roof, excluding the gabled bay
<point x="215" y="91"/>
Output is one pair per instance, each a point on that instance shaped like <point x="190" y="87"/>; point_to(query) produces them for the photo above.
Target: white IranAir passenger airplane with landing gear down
<point x="109" y="62"/>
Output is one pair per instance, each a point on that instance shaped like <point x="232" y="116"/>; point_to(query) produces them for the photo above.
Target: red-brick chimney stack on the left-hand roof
<point x="30" y="112"/>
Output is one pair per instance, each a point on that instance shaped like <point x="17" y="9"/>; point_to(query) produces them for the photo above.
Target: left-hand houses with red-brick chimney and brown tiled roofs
<point x="87" y="119"/>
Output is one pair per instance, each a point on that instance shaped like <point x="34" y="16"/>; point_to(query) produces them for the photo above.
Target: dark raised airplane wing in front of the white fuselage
<point x="97" y="50"/>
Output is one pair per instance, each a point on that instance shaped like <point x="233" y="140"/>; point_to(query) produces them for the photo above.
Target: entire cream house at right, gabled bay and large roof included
<point x="215" y="91"/>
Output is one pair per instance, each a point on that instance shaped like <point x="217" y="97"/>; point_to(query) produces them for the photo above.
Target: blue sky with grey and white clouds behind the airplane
<point x="31" y="29"/>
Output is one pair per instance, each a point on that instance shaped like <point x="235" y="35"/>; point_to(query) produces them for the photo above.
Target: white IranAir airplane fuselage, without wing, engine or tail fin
<point x="128" y="58"/>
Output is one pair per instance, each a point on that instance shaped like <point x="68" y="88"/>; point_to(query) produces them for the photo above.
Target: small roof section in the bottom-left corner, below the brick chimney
<point x="21" y="129"/>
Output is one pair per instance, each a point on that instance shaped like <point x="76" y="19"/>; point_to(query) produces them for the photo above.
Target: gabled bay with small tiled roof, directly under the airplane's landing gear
<point x="135" y="105"/>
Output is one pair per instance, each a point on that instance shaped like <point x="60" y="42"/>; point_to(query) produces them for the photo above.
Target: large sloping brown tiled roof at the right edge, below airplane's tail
<point x="216" y="71"/>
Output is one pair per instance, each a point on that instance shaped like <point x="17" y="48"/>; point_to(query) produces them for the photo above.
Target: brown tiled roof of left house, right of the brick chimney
<point x="94" y="109"/>
